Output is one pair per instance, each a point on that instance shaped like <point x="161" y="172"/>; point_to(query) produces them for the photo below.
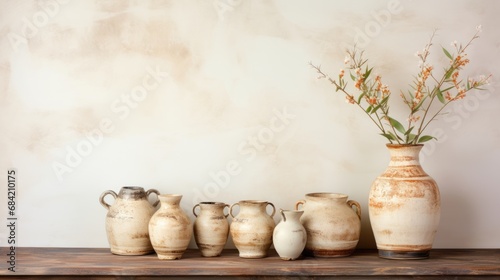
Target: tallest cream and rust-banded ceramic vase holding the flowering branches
<point x="404" y="206"/>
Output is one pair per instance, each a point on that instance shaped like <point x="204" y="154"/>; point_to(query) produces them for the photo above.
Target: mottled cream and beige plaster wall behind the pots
<point x="215" y="100"/>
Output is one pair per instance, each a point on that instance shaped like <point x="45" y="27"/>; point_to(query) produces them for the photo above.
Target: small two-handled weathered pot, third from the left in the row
<point x="211" y="228"/>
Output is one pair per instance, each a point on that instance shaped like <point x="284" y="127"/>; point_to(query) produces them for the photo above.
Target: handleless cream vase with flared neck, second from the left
<point x="170" y="229"/>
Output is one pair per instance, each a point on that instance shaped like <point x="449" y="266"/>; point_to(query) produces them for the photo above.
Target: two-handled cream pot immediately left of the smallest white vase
<point x="252" y="229"/>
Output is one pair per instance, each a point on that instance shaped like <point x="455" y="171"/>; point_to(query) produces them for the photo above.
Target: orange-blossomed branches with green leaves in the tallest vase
<point x="372" y="96"/>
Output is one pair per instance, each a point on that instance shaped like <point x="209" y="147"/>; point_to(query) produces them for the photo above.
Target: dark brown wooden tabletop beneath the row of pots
<point x="99" y="263"/>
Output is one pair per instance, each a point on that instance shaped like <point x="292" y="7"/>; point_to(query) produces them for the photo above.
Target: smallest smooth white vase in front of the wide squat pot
<point x="289" y="236"/>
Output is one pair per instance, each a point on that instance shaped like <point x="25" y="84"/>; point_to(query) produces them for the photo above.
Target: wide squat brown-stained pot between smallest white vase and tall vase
<point x="332" y="225"/>
